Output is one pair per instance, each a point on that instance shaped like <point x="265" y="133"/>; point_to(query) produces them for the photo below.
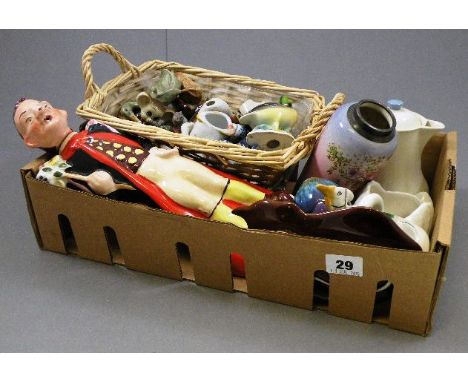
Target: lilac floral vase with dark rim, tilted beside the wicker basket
<point x="355" y="145"/>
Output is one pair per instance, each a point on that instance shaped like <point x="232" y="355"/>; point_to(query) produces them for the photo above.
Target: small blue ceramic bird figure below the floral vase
<point x="318" y="195"/>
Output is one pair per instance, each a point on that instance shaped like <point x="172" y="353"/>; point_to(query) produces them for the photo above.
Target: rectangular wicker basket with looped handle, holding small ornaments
<point x="262" y="167"/>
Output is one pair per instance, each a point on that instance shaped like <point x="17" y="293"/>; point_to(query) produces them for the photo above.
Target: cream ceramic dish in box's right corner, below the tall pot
<point x="412" y="213"/>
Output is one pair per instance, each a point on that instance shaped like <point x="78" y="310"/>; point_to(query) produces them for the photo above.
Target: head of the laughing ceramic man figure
<point x="40" y="124"/>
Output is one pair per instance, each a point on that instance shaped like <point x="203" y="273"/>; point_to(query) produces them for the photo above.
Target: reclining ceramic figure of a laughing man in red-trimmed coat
<point x="105" y="159"/>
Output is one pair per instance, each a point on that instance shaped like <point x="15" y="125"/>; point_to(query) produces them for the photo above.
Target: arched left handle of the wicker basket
<point x="90" y="86"/>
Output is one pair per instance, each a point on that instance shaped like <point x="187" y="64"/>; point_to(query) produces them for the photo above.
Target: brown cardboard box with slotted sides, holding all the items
<point x="280" y="267"/>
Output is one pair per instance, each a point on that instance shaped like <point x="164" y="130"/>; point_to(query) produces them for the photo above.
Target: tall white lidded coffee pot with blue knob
<point x="403" y="171"/>
